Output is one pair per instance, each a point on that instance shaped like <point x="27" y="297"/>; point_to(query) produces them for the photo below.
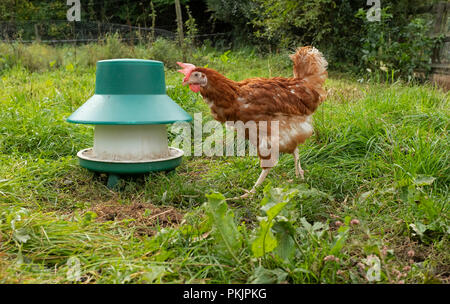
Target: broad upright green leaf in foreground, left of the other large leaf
<point x="225" y="231"/>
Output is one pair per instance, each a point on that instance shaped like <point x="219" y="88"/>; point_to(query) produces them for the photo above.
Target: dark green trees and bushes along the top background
<point x="393" y="47"/>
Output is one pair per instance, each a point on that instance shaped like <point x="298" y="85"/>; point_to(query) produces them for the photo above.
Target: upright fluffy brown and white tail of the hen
<point x="311" y="66"/>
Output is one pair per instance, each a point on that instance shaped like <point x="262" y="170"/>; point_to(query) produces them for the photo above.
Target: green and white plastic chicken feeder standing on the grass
<point x="130" y="110"/>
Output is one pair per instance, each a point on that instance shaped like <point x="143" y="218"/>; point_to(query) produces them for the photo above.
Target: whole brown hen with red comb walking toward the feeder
<point x="286" y="104"/>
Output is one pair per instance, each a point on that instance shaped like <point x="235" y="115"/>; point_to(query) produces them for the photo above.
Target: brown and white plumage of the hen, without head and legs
<point x="290" y="101"/>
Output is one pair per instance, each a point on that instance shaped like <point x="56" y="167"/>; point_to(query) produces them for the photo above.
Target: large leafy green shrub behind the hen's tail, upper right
<point x="348" y="40"/>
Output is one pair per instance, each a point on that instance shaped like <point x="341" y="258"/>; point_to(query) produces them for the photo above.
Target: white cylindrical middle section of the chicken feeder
<point x="130" y="142"/>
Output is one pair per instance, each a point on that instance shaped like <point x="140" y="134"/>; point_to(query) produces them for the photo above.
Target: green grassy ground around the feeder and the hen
<point x="379" y="155"/>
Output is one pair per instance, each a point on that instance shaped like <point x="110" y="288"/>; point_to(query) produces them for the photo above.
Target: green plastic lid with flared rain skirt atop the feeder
<point x="129" y="92"/>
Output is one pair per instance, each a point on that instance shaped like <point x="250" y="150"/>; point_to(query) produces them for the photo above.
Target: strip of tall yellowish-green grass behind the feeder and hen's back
<point x="38" y="57"/>
